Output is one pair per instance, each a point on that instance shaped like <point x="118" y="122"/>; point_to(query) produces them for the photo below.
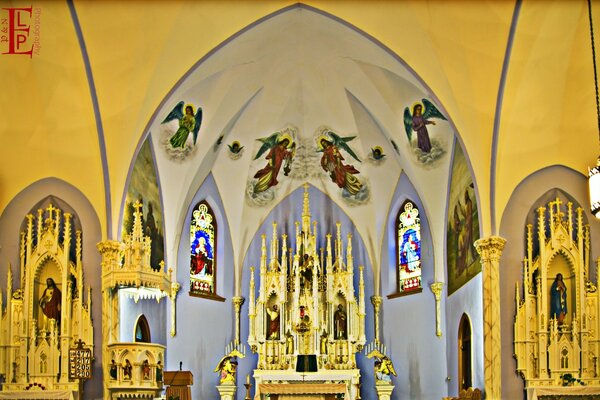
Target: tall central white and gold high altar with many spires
<point x="307" y="306"/>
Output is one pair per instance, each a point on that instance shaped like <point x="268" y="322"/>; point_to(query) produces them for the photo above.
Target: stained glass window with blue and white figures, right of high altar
<point x="409" y="249"/>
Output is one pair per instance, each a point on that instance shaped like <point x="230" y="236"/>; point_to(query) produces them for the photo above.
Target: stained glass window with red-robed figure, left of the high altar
<point x="203" y="263"/>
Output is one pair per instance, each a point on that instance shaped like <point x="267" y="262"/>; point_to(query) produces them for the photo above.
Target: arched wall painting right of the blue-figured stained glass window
<point x="463" y="225"/>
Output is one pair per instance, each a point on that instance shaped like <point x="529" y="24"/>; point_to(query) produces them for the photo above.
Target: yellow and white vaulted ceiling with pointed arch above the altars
<point x="515" y="81"/>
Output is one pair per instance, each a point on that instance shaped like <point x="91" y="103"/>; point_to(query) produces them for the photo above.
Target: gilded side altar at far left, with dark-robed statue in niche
<point x="48" y="314"/>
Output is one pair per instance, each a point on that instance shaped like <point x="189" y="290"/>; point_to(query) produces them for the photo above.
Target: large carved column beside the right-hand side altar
<point x="490" y="250"/>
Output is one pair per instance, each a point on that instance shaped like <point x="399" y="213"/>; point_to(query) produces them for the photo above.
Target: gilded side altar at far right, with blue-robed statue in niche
<point x="557" y="329"/>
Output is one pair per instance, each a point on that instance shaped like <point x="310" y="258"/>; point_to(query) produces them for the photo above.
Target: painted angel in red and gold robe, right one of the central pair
<point x="332" y="162"/>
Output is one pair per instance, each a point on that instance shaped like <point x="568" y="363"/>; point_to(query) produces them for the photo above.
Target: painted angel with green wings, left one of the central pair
<point x="281" y="148"/>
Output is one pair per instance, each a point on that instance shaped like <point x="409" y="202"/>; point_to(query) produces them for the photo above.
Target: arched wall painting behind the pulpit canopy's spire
<point x="143" y="187"/>
